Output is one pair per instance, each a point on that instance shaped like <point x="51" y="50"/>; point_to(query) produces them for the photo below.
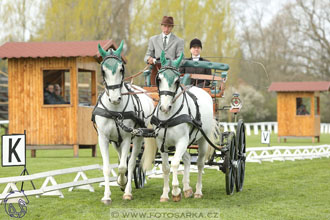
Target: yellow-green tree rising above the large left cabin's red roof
<point x="85" y="20"/>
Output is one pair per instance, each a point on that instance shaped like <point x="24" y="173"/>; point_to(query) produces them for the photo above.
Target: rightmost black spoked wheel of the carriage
<point x="241" y="145"/>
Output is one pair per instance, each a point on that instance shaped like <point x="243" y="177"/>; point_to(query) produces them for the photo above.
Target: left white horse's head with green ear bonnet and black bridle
<point x="112" y="68"/>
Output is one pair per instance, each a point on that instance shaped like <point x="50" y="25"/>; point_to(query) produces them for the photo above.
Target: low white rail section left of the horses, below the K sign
<point x="55" y="189"/>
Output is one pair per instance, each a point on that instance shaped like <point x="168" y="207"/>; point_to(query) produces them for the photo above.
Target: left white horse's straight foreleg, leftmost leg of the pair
<point x="104" y="148"/>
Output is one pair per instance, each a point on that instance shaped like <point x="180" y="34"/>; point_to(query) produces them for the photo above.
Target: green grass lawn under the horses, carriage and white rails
<point x="278" y="190"/>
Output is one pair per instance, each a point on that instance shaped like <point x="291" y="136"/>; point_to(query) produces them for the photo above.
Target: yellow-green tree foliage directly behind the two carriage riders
<point x="209" y="20"/>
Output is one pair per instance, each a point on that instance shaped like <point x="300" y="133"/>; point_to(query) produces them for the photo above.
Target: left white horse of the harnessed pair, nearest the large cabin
<point x="117" y="105"/>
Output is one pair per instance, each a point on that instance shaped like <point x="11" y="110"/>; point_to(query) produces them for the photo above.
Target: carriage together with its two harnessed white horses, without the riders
<point x="123" y="110"/>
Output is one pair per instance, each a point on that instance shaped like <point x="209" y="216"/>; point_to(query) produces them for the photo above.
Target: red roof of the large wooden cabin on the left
<point x="54" y="49"/>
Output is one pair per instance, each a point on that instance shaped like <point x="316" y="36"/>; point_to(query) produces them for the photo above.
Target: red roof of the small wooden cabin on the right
<point x="300" y="86"/>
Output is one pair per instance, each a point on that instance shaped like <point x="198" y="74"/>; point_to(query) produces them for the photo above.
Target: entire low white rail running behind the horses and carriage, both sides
<point x="256" y="154"/>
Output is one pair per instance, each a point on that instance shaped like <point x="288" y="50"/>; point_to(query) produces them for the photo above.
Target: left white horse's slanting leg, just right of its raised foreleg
<point x="137" y="143"/>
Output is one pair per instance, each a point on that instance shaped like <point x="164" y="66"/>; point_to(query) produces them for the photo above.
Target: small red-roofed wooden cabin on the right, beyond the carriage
<point x="298" y="108"/>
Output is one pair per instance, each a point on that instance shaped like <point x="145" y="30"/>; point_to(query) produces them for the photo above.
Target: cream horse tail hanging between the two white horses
<point x="149" y="153"/>
